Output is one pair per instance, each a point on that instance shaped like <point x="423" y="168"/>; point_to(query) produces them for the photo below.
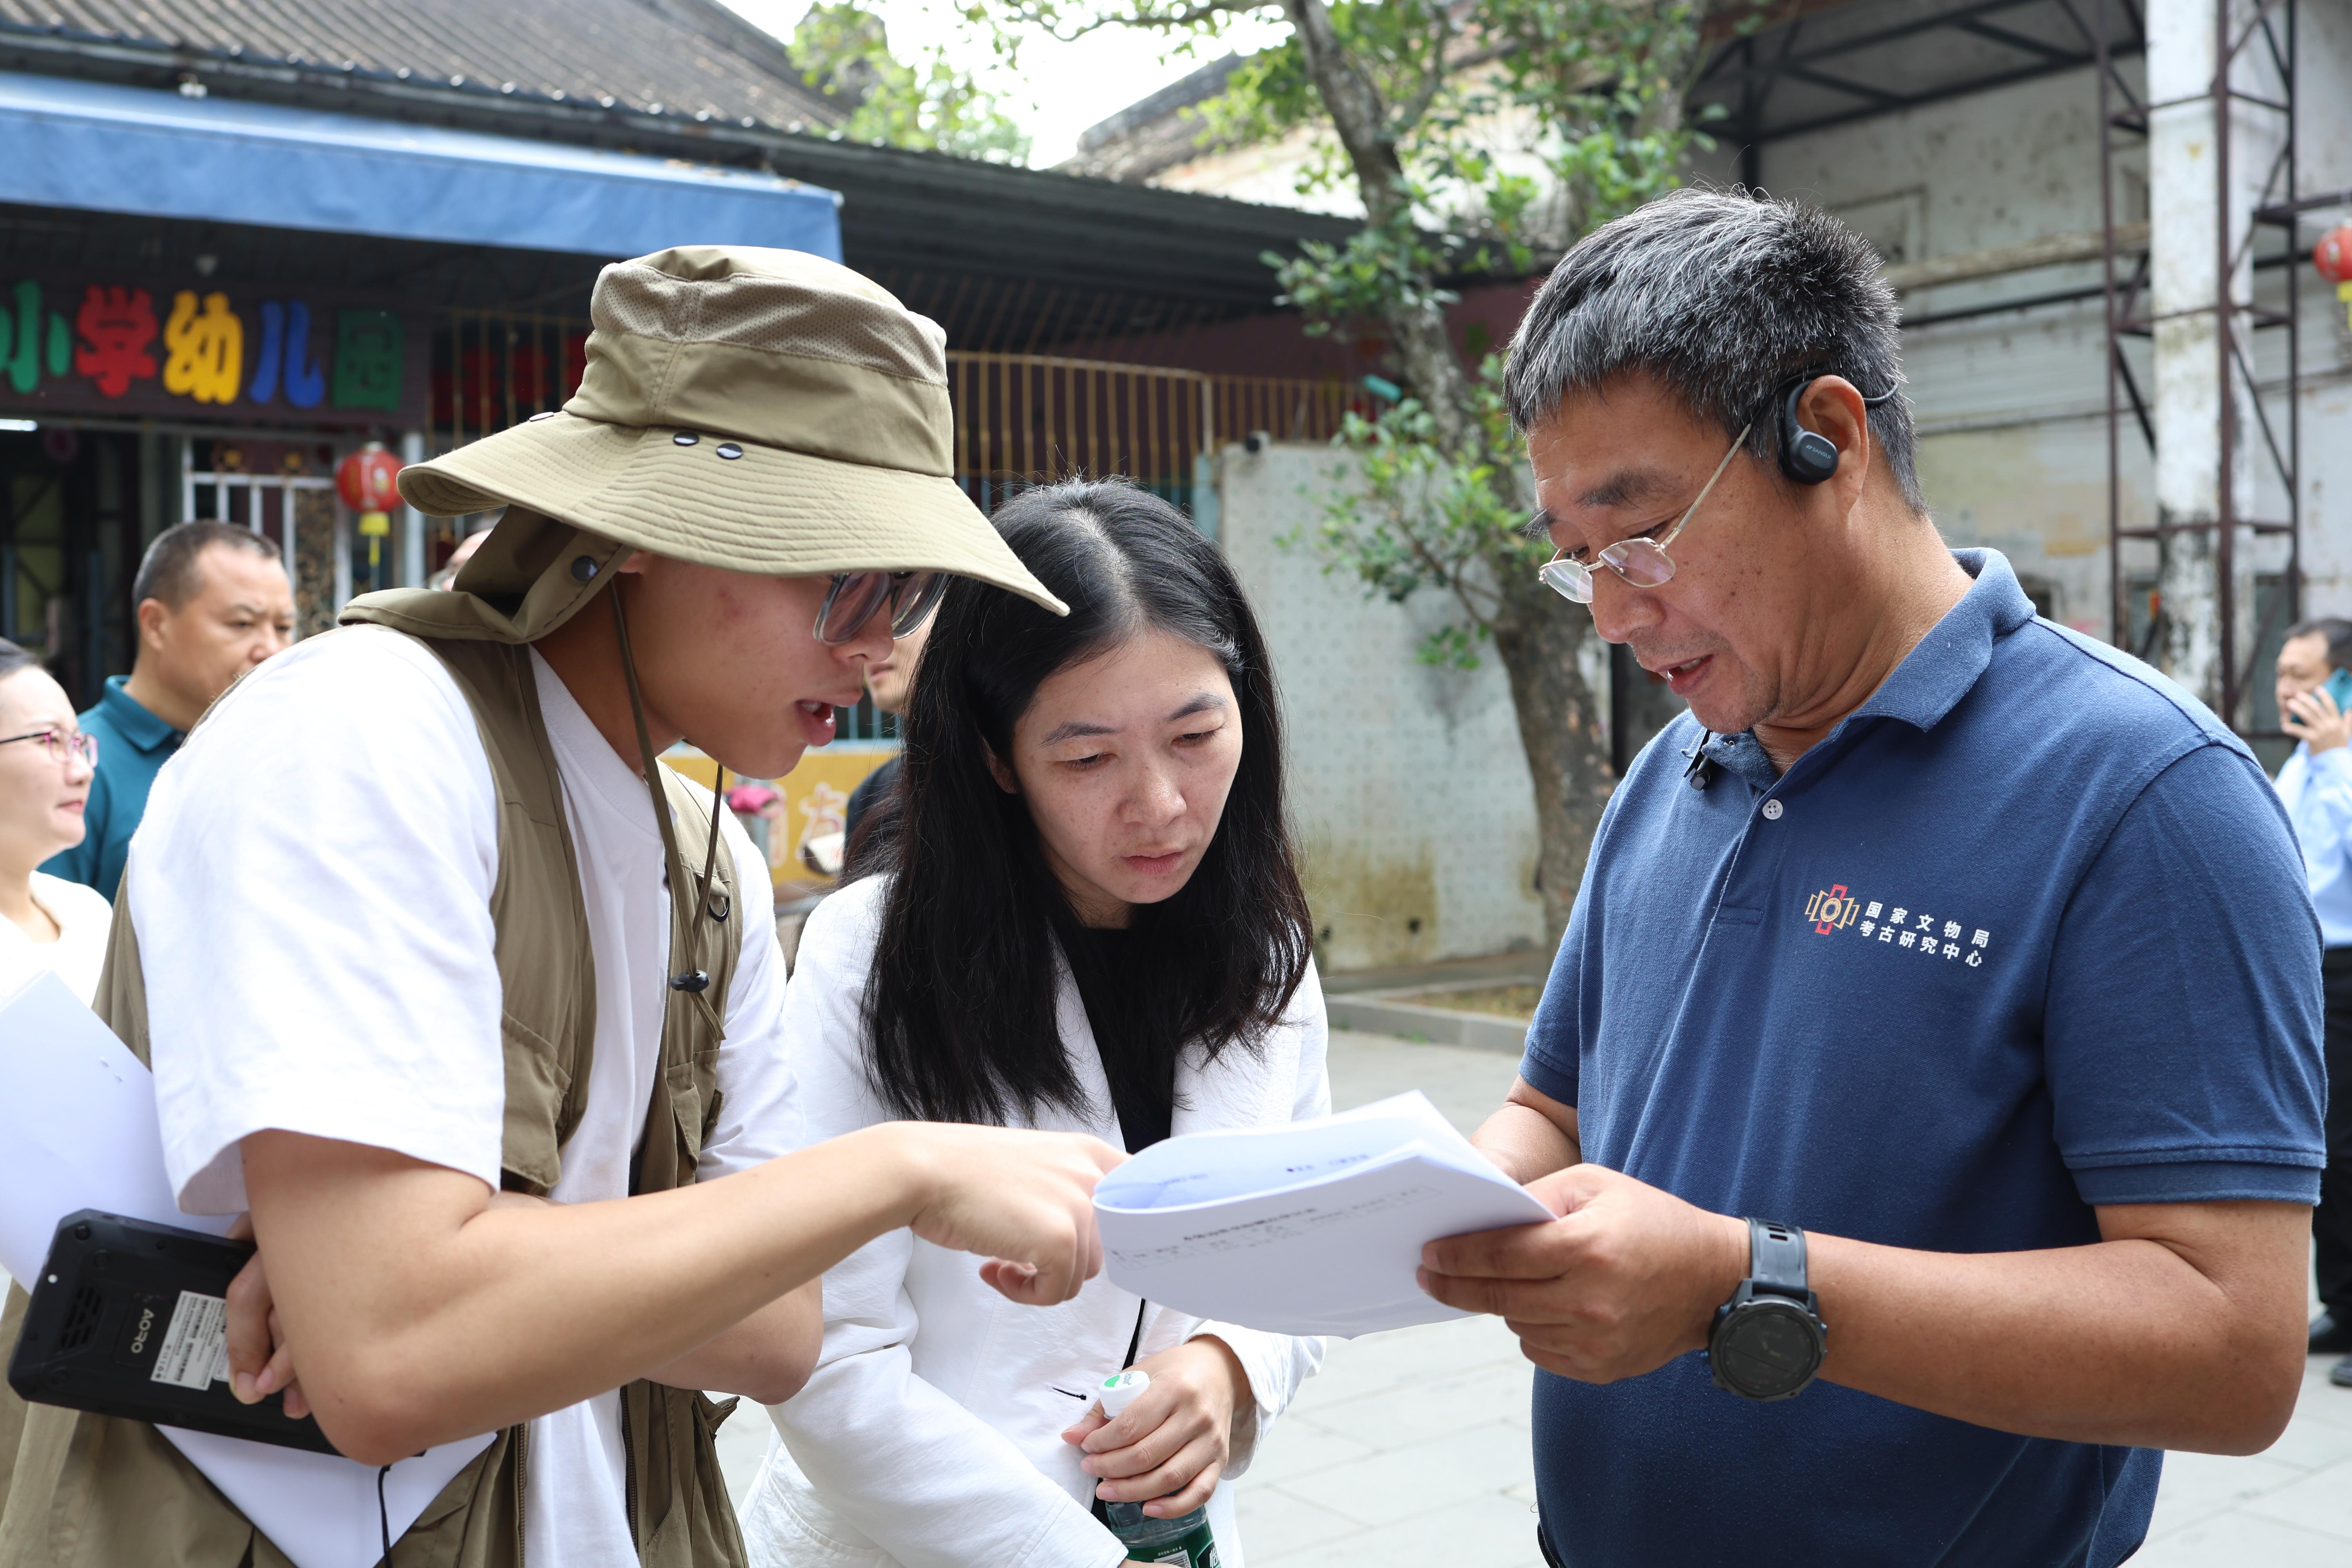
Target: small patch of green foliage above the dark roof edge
<point x="933" y="105"/>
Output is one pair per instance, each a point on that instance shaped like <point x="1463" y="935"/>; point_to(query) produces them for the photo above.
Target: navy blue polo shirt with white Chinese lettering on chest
<point x="2024" y="934"/>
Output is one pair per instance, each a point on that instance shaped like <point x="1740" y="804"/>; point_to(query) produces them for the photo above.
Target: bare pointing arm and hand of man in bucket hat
<point x="417" y="1311"/>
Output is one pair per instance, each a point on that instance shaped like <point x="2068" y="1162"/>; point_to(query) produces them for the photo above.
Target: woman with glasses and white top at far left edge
<point x="46" y="768"/>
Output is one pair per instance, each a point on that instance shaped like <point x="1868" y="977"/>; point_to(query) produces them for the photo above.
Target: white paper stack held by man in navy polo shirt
<point x="1304" y="1228"/>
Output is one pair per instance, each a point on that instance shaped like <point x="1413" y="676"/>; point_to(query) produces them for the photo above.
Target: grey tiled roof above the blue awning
<point x="686" y="60"/>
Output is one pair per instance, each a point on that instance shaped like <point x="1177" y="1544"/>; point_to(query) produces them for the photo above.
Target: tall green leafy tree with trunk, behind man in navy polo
<point x="1481" y="138"/>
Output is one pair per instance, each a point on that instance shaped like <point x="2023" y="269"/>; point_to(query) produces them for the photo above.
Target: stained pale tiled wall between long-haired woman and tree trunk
<point x="1408" y="784"/>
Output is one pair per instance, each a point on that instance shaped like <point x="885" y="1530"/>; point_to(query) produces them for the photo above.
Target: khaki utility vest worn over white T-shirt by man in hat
<point x="93" y="1492"/>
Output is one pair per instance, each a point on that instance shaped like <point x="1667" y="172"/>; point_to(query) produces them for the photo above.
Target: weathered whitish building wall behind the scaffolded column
<point x="2012" y="406"/>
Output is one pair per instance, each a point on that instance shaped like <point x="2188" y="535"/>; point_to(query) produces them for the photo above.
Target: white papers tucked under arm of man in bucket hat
<point x="79" y="1132"/>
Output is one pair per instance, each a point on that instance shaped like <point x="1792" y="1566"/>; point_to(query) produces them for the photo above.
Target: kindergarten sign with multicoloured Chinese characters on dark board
<point x="208" y="351"/>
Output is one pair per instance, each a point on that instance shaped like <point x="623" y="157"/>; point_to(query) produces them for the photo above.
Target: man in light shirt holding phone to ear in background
<point x="2318" y="791"/>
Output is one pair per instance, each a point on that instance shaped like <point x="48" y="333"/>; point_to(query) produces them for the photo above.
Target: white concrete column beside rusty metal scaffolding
<point x="2189" y="192"/>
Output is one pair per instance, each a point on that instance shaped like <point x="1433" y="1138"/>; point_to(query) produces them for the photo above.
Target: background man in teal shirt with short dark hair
<point x="213" y="603"/>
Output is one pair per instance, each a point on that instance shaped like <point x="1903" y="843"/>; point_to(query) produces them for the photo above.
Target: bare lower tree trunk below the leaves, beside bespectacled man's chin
<point x="1568" y="751"/>
